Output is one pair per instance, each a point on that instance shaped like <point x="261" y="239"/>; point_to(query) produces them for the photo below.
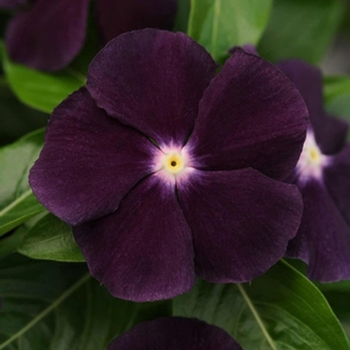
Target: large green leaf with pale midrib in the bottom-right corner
<point x="280" y="310"/>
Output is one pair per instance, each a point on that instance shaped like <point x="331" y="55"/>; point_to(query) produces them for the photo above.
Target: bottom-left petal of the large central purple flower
<point x="143" y="251"/>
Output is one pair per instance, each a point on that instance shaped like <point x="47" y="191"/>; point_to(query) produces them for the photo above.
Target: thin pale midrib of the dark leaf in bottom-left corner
<point x="46" y="311"/>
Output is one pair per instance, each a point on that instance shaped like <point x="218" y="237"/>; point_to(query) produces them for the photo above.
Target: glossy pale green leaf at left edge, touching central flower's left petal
<point x="17" y="202"/>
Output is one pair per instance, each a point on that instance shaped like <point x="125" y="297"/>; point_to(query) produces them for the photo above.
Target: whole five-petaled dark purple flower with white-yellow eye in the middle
<point x="165" y="168"/>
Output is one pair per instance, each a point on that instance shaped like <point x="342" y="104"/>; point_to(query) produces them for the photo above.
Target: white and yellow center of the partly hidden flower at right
<point x="311" y="161"/>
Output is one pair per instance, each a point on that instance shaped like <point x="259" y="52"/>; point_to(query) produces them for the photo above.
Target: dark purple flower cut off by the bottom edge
<point x="174" y="333"/>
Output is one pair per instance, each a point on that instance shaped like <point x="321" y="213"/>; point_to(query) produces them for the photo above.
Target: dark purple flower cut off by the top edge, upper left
<point x="49" y="34"/>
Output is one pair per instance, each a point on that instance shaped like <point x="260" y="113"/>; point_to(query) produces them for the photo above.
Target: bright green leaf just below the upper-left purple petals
<point x="40" y="90"/>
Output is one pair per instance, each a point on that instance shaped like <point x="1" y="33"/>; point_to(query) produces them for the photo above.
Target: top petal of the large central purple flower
<point x="152" y="80"/>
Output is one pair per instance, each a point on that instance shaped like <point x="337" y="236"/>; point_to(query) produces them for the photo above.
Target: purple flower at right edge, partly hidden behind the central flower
<point x="323" y="177"/>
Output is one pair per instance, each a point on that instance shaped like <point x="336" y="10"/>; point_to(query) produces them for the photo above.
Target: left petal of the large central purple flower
<point x="89" y="161"/>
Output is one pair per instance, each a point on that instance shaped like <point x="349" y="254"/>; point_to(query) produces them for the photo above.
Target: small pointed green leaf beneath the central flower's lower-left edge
<point x="51" y="239"/>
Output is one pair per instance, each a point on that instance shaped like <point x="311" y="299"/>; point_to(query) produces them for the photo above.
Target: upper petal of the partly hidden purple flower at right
<point x="330" y="132"/>
